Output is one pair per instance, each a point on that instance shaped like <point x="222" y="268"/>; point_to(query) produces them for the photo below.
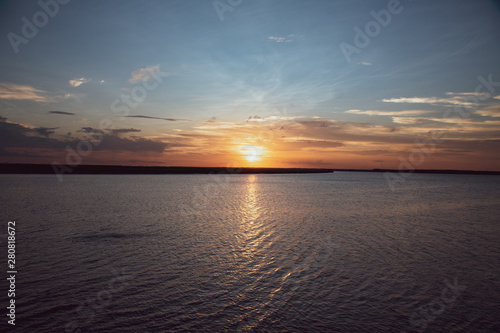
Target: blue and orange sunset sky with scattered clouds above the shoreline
<point x="358" y="84"/>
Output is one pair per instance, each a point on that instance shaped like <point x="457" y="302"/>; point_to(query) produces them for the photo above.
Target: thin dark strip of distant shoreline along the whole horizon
<point x="22" y="168"/>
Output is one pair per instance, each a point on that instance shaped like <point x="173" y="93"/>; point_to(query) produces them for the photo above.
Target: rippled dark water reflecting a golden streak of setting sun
<point x="254" y="253"/>
